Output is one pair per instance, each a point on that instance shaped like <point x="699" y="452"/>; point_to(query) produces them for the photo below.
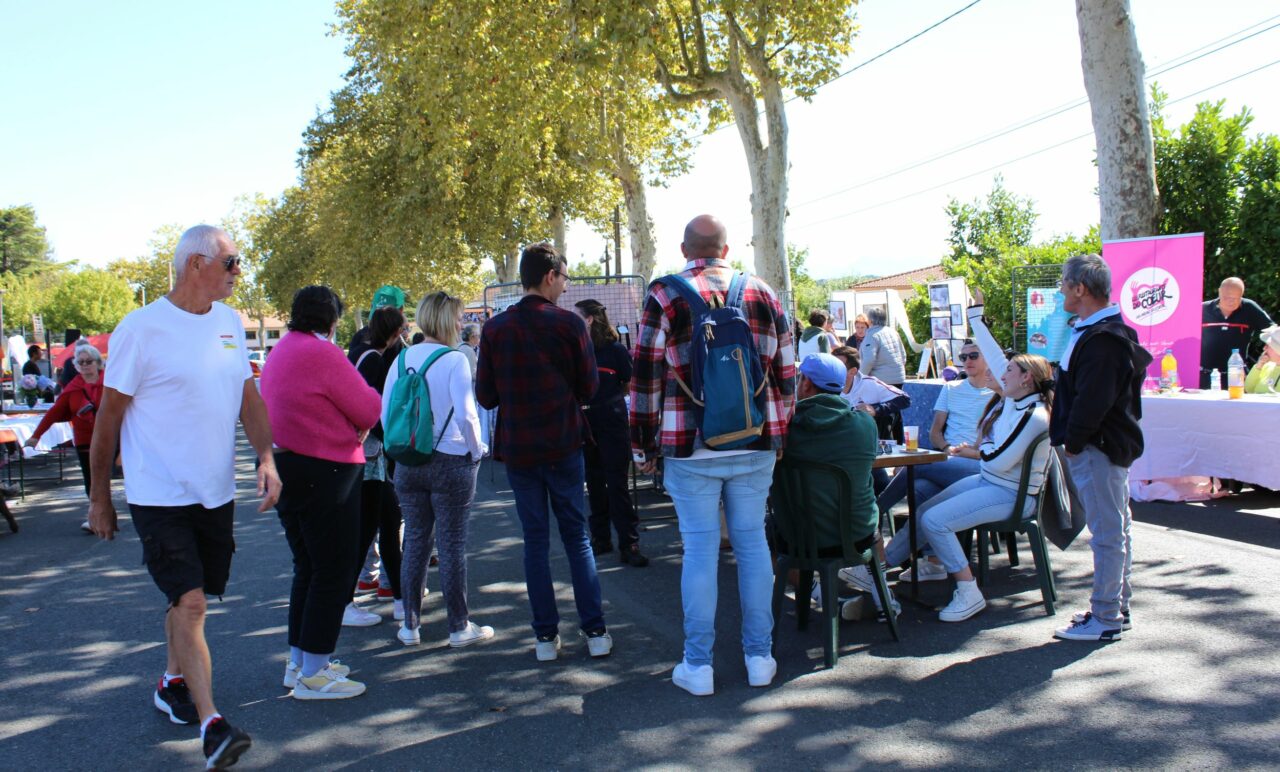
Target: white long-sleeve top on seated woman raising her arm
<point x="1021" y="422"/>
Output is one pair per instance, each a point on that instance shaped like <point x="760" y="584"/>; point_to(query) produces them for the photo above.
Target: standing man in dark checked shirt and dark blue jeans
<point x="538" y="366"/>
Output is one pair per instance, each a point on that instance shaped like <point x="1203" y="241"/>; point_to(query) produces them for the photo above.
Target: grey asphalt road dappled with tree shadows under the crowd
<point x="1192" y="687"/>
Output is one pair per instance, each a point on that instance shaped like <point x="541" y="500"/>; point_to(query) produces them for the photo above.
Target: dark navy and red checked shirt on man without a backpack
<point x="538" y="367"/>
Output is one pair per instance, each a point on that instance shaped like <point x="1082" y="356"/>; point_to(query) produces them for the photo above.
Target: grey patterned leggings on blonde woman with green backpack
<point x="435" y="495"/>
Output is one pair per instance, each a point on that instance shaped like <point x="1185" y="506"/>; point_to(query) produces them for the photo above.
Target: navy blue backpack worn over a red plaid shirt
<point x="726" y="377"/>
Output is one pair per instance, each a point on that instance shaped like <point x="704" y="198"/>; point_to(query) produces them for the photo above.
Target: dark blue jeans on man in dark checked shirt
<point x="563" y="485"/>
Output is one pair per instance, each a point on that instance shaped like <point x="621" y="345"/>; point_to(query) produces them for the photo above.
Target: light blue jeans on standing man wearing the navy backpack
<point x="698" y="488"/>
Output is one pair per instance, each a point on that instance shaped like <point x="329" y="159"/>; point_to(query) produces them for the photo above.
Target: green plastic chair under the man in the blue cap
<point x="796" y="520"/>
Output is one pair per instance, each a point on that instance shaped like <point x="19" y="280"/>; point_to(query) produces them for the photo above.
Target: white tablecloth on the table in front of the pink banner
<point x="1209" y="435"/>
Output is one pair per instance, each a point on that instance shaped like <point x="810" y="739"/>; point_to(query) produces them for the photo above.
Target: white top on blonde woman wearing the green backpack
<point x="451" y="387"/>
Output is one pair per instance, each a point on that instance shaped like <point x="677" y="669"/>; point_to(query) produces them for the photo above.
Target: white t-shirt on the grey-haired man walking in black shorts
<point x="186" y="374"/>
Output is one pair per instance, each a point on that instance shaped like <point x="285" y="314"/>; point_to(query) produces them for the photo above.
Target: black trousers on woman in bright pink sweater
<point x="319" y="509"/>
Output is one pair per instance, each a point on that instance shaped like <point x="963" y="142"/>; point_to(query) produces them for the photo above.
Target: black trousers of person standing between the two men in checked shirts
<point x="607" y="486"/>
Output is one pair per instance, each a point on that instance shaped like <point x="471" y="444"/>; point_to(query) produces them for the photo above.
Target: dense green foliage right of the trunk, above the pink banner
<point x="1217" y="180"/>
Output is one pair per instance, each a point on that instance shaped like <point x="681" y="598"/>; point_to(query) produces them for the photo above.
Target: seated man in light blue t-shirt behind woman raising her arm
<point x="954" y="432"/>
